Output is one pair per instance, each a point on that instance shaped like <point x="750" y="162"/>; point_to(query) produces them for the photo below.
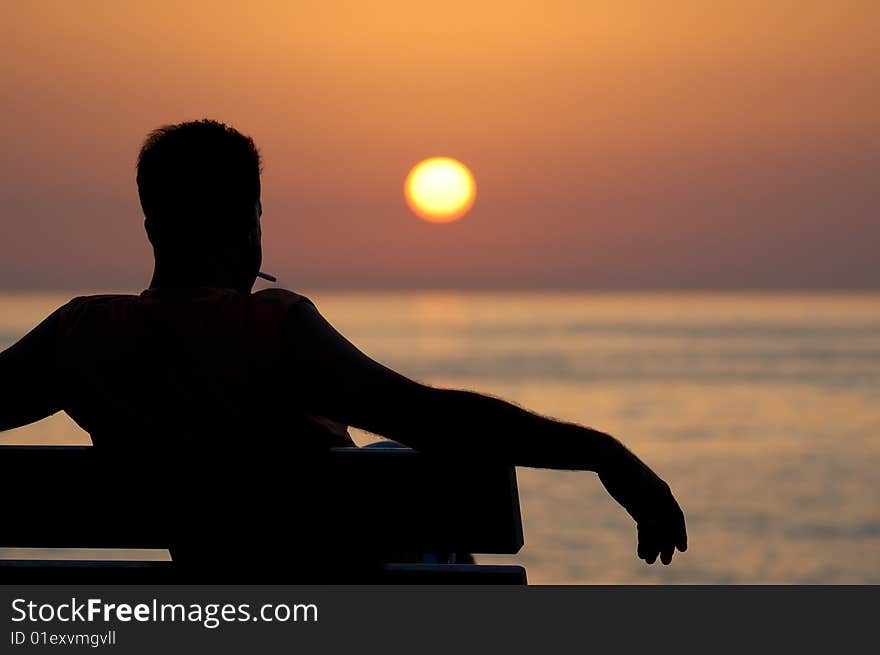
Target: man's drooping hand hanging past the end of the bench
<point x="649" y="501"/>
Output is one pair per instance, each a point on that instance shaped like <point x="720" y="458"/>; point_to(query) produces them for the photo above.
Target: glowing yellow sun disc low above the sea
<point x="440" y="189"/>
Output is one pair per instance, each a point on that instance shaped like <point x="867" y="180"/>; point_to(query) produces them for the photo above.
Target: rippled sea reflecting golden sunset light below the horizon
<point x="762" y="411"/>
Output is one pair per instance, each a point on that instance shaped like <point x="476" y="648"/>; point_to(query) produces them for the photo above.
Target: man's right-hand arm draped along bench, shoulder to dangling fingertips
<point x="336" y="380"/>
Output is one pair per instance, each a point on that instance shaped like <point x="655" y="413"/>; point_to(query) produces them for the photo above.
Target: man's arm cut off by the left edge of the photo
<point x="27" y="377"/>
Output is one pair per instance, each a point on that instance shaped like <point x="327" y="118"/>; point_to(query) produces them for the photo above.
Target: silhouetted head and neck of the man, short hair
<point x="199" y="186"/>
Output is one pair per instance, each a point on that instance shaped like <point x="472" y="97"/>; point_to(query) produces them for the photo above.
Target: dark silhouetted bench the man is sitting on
<point x="350" y="515"/>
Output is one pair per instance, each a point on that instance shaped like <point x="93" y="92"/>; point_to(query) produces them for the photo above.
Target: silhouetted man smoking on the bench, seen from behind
<point x="198" y="362"/>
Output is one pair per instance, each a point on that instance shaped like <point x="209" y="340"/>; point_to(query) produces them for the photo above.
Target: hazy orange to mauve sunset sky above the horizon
<point x="627" y="144"/>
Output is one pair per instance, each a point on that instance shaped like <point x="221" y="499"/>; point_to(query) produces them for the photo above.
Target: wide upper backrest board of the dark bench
<point x="347" y="501"/>
